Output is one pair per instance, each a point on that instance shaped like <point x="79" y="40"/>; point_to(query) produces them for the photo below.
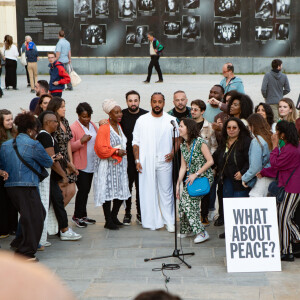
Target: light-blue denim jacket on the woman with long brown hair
<point x="259" y="158"/>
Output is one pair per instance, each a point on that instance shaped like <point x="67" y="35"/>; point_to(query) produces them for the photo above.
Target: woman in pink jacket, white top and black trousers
<point x="82" y="144"/>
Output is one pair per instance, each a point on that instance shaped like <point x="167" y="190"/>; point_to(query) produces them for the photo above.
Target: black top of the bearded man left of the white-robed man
<point x="127" y="123"/>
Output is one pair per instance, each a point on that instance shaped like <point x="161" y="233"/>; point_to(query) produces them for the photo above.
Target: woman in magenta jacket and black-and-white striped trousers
<point x="285" y="164"/>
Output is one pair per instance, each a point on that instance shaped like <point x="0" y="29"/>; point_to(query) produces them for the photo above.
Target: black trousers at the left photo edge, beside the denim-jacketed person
<point x="8" y="213"/>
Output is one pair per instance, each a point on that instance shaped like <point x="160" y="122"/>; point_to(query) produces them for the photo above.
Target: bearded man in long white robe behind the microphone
<point x="153" y="153"/>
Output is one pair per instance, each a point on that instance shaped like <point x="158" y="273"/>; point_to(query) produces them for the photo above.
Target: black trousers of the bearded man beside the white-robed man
<point x="133" y="177"/>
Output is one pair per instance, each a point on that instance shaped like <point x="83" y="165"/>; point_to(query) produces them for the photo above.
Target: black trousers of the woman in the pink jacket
<point x="84" y="182"/>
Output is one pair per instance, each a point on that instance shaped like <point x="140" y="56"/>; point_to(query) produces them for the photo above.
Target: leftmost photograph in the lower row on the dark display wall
<point x="93" y="35"/>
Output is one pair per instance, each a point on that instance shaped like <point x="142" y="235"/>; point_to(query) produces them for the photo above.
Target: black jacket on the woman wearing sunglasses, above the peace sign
<point x="237" y="161"/>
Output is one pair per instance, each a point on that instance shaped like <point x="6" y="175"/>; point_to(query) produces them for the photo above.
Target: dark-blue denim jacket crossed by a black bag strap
<point x="31" y="151"/>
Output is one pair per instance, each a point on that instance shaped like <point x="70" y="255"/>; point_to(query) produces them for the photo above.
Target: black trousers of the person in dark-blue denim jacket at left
<point x="32" y="214"/>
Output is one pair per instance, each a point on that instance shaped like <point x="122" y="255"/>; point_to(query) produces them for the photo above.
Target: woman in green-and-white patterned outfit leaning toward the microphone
<point x="195" y="152"/>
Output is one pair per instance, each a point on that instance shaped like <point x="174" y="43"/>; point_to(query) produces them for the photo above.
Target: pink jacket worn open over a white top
<point x="79" y="151"/>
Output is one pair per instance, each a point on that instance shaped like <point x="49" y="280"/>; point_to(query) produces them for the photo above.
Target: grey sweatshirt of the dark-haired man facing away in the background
<point x="274" y="87"/>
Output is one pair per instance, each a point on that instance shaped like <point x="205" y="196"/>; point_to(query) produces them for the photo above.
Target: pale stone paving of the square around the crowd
<point x="110" y="264"/>
